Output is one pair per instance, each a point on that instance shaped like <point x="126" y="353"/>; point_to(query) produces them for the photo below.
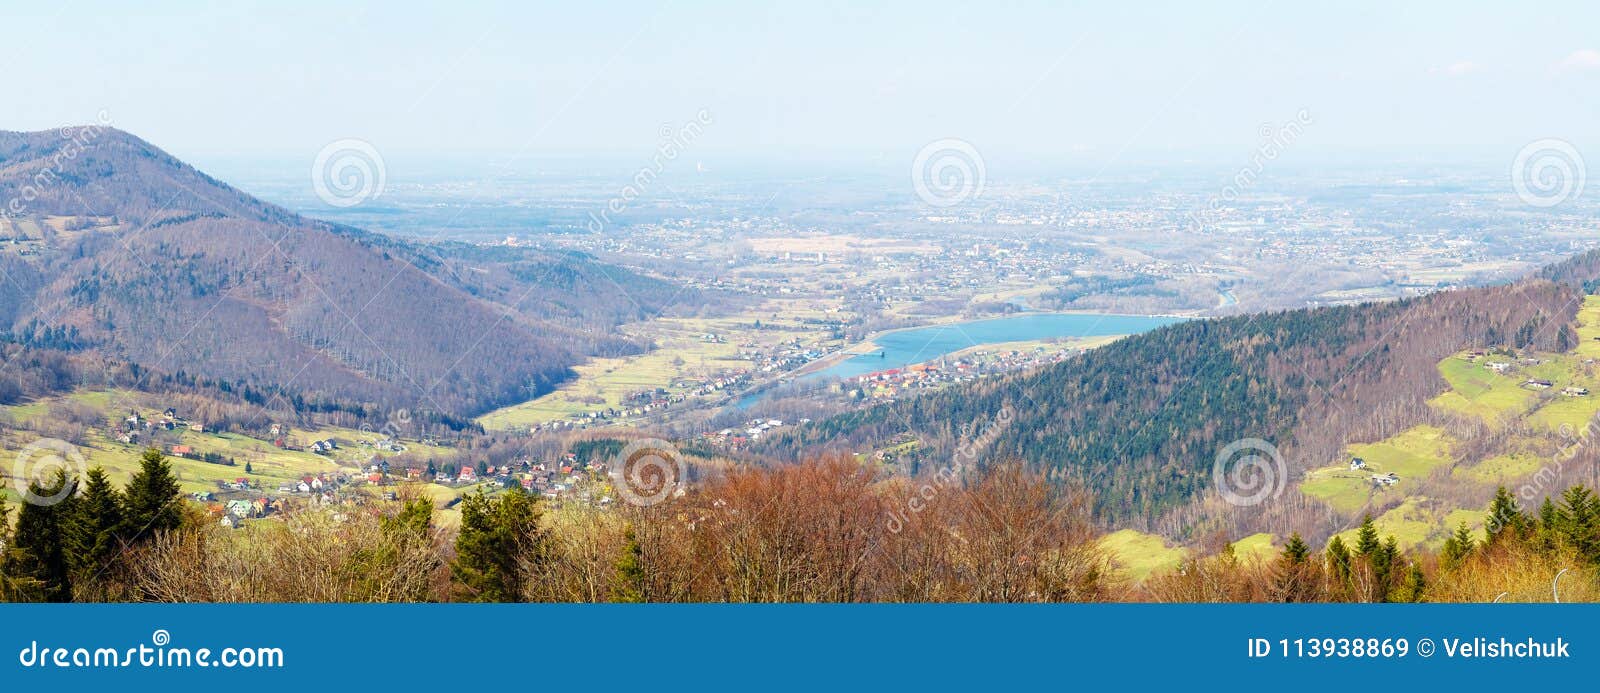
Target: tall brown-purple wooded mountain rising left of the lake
<point x="121" y="254"/>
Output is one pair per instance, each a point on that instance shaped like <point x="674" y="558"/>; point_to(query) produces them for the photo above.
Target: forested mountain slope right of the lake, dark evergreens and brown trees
<point x="1142" y="423"/>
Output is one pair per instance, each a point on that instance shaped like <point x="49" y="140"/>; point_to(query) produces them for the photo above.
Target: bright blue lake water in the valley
<point x="903" y="348"/>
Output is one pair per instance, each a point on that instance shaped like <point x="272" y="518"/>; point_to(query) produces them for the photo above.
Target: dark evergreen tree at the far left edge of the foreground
<point x="36" y="561"/>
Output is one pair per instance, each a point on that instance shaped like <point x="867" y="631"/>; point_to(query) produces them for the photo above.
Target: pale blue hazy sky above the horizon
<point x="1116" y="81"/>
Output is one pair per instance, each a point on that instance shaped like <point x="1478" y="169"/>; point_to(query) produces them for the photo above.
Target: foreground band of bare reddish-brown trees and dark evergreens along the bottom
<point x="825" y="531"/>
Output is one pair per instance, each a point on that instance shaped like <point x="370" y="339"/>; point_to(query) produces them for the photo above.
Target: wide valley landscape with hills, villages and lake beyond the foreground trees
<point x="284" y="364"/>
